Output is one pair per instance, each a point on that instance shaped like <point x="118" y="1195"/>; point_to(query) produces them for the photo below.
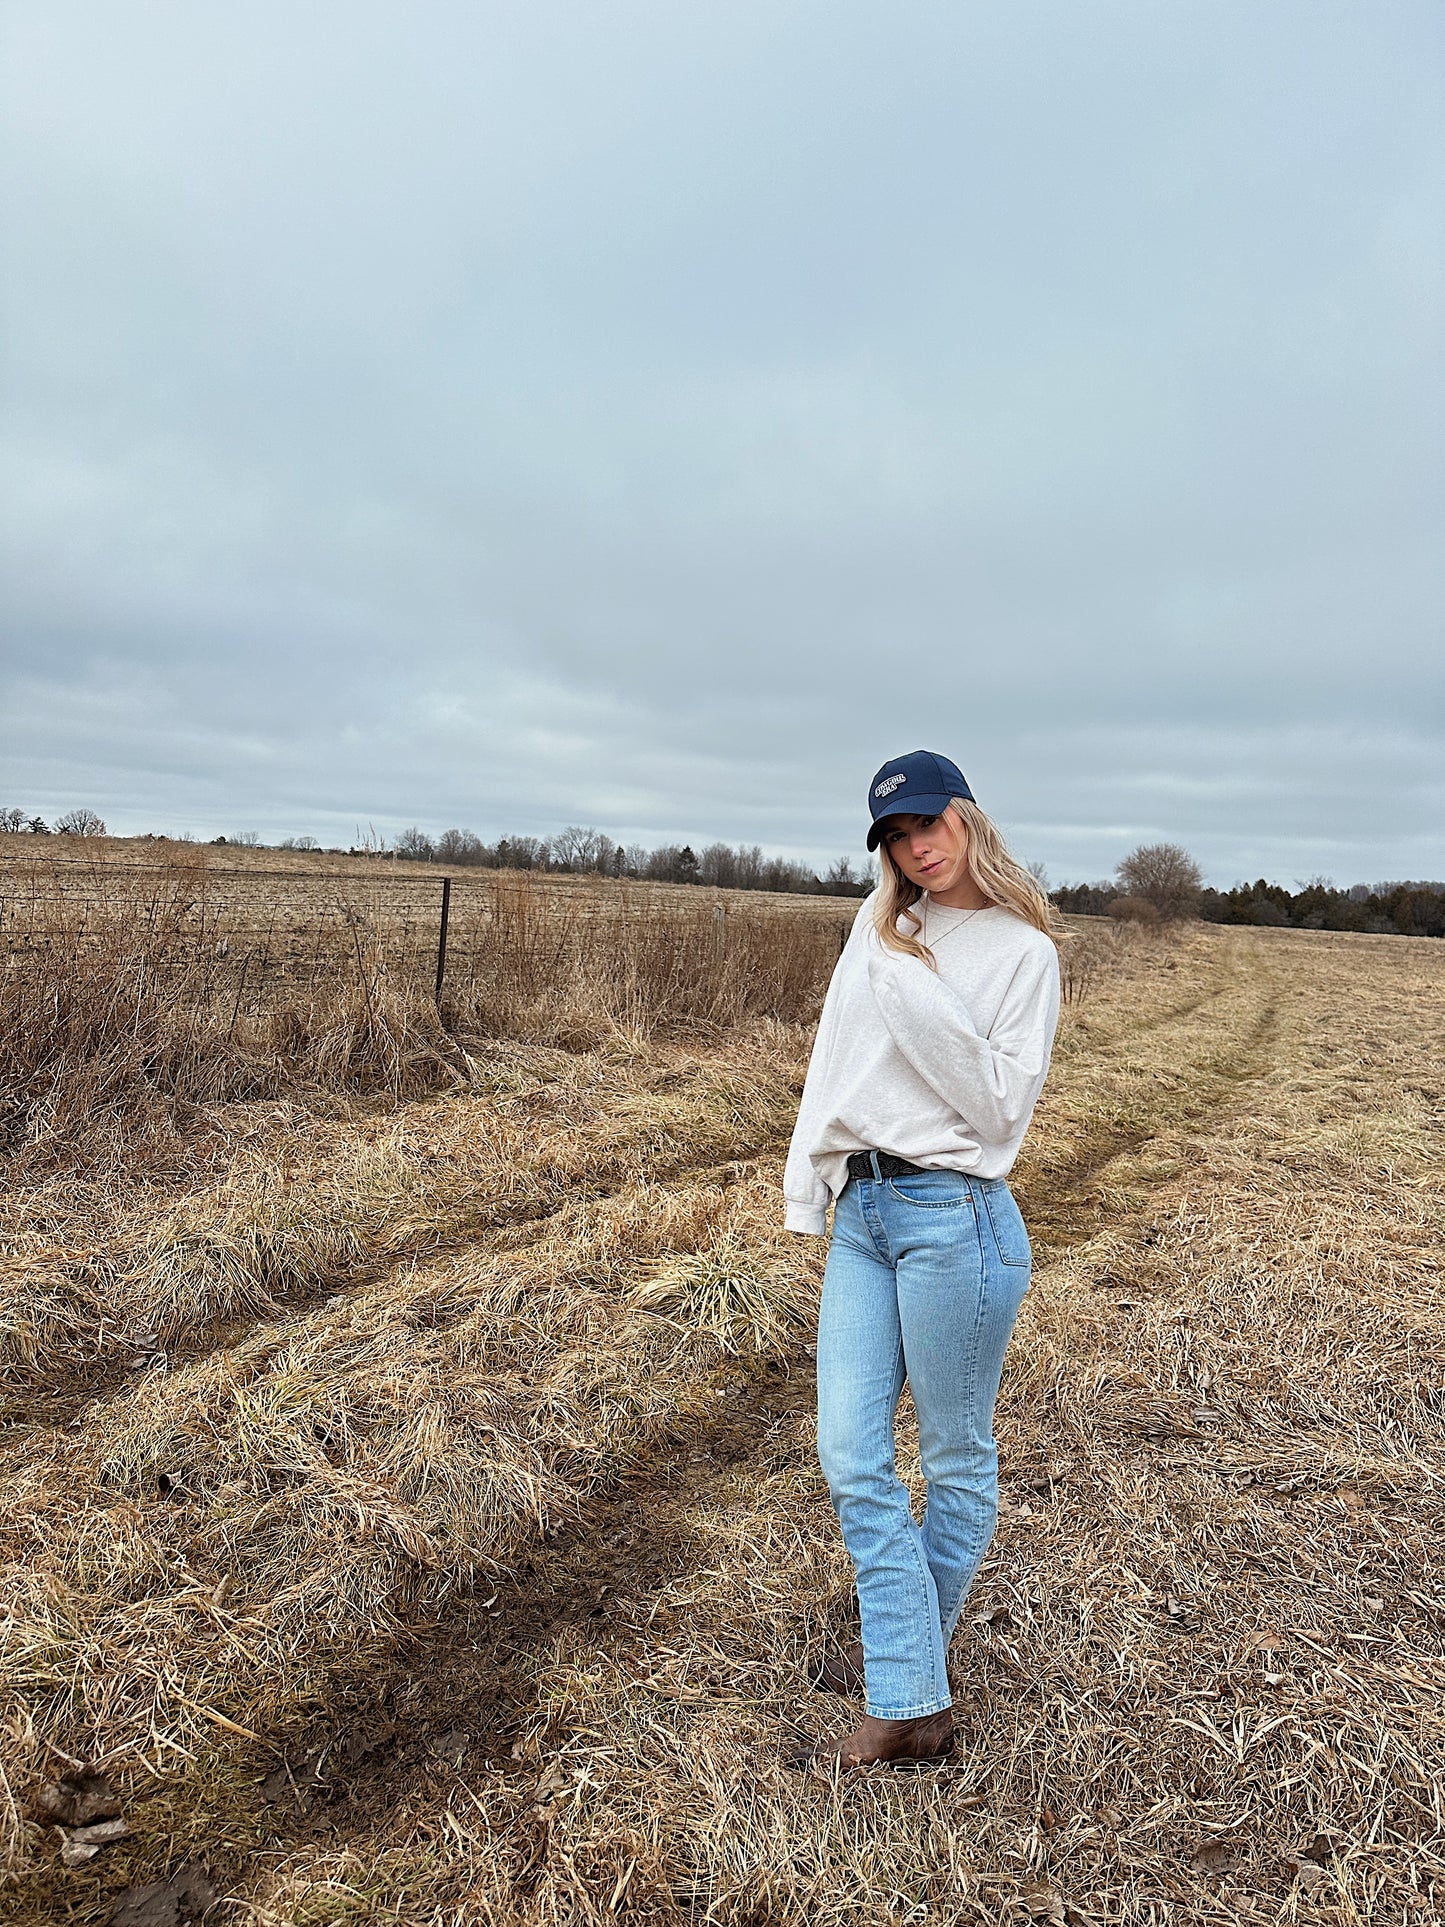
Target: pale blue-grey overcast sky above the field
<point x="658" y="415"/>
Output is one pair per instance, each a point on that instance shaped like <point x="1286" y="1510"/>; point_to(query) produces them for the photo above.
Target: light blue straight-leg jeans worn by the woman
<point x="924" y="1282"/>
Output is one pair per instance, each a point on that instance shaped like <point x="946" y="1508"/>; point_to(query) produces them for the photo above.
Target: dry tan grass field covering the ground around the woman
<point x="411" y="1504"/>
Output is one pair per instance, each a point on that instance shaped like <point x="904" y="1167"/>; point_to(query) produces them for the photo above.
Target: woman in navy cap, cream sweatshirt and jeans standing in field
<point x="926" y="1070"/>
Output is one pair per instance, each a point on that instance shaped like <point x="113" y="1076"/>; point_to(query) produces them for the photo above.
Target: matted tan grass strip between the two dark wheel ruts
<point x="327" y="1475"/>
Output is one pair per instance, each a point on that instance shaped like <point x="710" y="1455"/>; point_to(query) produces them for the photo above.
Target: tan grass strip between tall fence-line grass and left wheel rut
<point x="319" y="1203"/>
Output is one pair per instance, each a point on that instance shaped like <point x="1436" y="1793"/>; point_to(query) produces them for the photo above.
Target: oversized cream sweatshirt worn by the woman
<point x="941" y="1069"/>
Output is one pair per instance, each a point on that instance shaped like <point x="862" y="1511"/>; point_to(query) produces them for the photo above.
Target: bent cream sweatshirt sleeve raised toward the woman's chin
<point x="991" y="1082"/>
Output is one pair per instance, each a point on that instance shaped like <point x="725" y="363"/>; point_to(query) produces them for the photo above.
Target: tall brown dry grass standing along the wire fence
<point x="134" y="1007"/>
